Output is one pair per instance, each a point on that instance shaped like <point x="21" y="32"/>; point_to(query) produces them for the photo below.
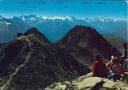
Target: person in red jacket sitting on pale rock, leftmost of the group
<point x="99" y="68"/>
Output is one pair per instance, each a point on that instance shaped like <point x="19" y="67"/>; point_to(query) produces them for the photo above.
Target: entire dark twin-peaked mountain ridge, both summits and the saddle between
<point x="31" y="62"/>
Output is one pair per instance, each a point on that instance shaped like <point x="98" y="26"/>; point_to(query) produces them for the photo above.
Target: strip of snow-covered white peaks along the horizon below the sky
<point x="39" y="19"/>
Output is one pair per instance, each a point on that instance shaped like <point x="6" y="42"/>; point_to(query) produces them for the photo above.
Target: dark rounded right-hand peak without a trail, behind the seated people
<point x="84" y="43"/>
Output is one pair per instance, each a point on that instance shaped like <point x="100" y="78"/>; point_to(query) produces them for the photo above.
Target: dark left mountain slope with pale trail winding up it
<point x="31" y="63"/>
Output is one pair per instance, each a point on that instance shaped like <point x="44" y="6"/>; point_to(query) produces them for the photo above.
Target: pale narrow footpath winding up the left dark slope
<point x="18" y="68"/>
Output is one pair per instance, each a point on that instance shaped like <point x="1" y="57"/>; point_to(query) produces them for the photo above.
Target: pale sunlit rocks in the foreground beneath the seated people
<point x="89" y="83"/>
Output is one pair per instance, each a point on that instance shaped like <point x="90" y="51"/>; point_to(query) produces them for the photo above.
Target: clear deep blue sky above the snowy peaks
<point x="76" y="8"/>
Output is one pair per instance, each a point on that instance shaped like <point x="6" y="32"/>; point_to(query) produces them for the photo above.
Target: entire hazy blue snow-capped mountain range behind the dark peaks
<point x="54" y="27"/>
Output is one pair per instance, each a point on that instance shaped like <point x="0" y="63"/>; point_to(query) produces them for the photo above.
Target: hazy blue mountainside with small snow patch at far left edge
<point x="9" y="28"/>
